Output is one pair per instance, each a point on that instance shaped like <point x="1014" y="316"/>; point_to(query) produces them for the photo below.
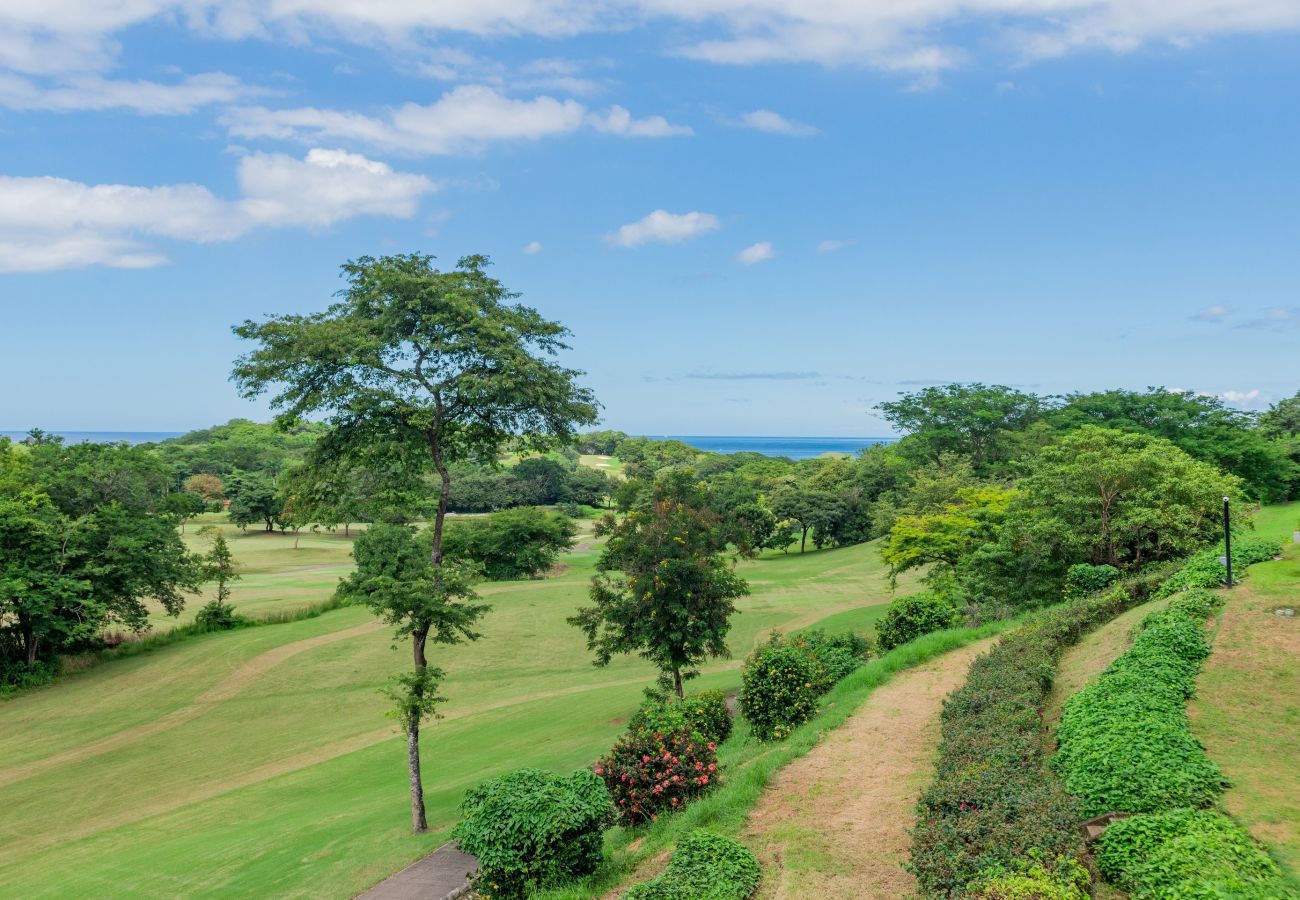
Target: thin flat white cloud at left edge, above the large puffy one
<point x="142" y="97"/>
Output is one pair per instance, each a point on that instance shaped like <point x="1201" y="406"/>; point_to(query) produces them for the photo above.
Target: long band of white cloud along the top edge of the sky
<point x="918" y="40"/>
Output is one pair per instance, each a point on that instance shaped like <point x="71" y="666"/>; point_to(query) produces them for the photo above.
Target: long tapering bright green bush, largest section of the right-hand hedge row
<point x="1125" y="739"/>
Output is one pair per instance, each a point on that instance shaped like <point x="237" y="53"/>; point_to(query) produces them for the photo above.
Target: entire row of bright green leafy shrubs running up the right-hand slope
<point x="1126" y="745"/>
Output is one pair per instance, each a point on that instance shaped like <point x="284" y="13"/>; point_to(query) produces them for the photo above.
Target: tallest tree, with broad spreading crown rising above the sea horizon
<point x="421" y="367"/>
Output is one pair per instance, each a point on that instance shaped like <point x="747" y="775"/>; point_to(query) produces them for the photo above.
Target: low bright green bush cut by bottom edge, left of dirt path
<point x="705" y="867"/>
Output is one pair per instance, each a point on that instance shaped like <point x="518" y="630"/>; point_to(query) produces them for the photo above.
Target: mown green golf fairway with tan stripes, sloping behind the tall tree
<point x="261" y="763"/>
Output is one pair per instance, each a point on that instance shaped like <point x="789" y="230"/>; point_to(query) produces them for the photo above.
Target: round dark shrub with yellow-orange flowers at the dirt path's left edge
<point x="779" y="689"/>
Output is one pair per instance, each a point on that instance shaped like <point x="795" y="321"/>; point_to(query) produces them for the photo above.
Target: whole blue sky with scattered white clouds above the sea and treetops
<point x="757" y="217"/>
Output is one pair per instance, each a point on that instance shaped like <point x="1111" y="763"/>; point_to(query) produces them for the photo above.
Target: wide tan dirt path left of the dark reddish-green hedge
<point x="835" y="823"/>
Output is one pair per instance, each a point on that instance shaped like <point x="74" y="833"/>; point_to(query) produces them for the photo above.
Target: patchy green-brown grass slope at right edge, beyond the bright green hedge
<point x="1247" y="712"/>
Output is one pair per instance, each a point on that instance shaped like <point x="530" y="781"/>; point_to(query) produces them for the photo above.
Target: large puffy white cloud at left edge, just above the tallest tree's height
<point x="53" y="223"/>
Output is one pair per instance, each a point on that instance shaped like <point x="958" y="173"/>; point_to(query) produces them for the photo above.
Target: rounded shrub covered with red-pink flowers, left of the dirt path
<point x="651" y="772"/>
